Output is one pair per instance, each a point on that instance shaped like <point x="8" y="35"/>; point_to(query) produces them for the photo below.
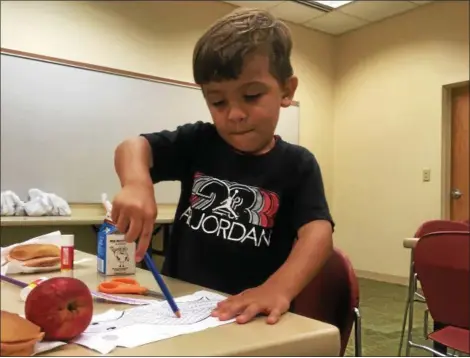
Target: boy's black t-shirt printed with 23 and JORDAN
<point x="238" y="215"/>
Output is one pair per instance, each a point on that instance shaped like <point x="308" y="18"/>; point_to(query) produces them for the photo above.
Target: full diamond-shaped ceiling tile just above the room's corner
<point x="335" y="23"/>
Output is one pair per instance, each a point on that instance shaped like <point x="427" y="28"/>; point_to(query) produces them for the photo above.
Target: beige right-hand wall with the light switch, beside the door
<point x="388" y="118"/>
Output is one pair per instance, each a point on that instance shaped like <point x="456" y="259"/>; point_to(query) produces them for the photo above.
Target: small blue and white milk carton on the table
<point x="115" y="256"/>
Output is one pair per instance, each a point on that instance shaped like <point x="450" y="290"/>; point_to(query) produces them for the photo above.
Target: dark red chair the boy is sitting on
<point x="333" y="297"/>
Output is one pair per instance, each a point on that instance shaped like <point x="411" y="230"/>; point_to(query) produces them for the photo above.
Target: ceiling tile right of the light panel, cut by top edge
<point x="376" y="10"/>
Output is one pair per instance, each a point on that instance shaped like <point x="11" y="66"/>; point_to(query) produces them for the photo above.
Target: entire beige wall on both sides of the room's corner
<point x="373" y="121"/>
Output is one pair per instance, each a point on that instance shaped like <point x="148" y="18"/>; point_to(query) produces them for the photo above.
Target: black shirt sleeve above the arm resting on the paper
<point x="309" y="200"/>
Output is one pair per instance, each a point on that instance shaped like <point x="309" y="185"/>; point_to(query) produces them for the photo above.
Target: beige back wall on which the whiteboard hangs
<point x="157" y="38"/>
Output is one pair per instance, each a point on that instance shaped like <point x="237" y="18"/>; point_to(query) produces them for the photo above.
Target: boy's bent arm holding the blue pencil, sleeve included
<point x="140" y="162"/>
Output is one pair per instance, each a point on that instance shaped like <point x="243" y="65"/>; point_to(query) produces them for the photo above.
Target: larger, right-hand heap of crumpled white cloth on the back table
<point x="41" y="203"/>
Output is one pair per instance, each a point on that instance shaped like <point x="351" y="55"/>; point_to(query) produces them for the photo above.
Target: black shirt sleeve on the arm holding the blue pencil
<point x="172" y="151"/>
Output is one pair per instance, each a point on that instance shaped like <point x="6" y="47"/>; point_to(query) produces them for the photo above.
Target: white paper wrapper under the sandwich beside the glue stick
<point x="15" y="266"/>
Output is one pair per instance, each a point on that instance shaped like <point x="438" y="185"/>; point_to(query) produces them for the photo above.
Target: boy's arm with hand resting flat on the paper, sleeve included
<point x="314" y="245"/>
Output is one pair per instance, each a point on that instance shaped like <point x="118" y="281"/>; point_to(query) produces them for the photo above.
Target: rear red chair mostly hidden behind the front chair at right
<point x="413" y="295"/>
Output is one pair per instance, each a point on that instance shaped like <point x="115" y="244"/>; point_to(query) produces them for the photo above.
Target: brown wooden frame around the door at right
<point x="446" y="152"/>
